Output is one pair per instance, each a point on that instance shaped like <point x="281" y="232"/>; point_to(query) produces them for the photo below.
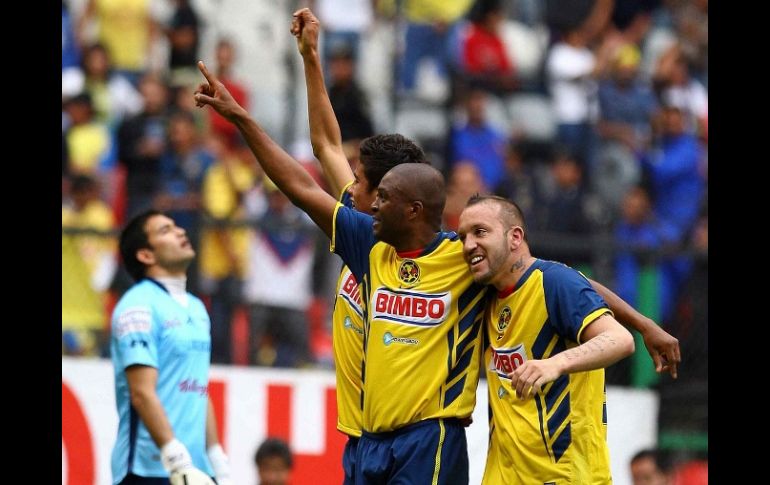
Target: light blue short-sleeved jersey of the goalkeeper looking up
<point x="150" y="328"/>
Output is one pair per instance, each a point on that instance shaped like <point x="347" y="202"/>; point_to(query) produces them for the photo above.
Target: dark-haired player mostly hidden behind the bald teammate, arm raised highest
<point x="377" y="155"/>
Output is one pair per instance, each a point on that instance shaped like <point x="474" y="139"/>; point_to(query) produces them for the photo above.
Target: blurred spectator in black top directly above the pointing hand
<point x="184" y="36"/>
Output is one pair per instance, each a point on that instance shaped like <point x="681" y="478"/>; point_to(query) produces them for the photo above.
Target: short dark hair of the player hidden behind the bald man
<point x="380" y="153"/>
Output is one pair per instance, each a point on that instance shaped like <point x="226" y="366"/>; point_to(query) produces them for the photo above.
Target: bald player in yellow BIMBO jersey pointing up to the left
<point x="422" y="310"/>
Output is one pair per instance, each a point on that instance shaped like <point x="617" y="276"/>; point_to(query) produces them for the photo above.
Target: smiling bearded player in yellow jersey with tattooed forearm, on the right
<point x="550" y="336"/>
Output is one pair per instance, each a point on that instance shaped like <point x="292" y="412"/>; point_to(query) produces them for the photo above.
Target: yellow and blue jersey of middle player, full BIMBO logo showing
<point x="422" y="325"/>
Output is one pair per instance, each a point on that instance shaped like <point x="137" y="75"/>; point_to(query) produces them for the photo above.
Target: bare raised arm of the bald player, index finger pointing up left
<point x="287" y="174"/>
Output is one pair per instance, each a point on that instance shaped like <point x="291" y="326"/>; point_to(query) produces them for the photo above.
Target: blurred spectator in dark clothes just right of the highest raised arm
<point x="347" y="98"/>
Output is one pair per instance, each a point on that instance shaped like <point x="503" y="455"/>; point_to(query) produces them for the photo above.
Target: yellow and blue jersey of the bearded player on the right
<point x="559" y="436"/>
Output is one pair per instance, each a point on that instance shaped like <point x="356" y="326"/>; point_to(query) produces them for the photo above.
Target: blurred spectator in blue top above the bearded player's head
<point x="477" y="142"/>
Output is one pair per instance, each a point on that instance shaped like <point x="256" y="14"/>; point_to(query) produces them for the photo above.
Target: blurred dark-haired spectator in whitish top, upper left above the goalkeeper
<point x="113" y="96"/>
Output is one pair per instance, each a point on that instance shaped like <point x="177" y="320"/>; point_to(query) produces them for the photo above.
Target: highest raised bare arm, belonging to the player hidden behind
<point x="324" y="129"/>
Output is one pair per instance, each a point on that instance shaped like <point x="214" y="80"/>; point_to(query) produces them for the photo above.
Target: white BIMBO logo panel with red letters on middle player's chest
<point x="410" y="308"/>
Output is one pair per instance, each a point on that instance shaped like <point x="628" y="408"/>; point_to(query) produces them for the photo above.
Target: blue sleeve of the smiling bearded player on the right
<point x="570" y="298"/>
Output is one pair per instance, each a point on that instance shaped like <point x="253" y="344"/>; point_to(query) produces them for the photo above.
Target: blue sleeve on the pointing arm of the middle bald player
<point x="354" y="239"/>
